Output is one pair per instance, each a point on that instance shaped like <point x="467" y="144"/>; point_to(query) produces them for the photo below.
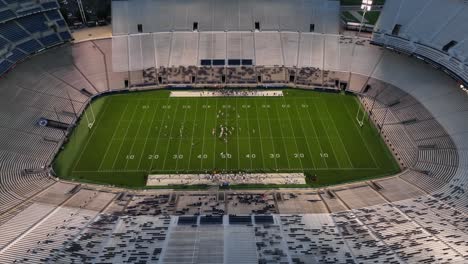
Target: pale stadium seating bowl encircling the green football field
<point x="411" y="83"/>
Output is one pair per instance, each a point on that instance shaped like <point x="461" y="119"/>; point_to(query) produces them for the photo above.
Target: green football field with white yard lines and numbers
<point x="141" y="133"/>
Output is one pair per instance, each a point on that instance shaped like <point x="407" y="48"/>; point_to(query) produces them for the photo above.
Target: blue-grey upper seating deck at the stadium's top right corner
<point x="431" y="30"/>
